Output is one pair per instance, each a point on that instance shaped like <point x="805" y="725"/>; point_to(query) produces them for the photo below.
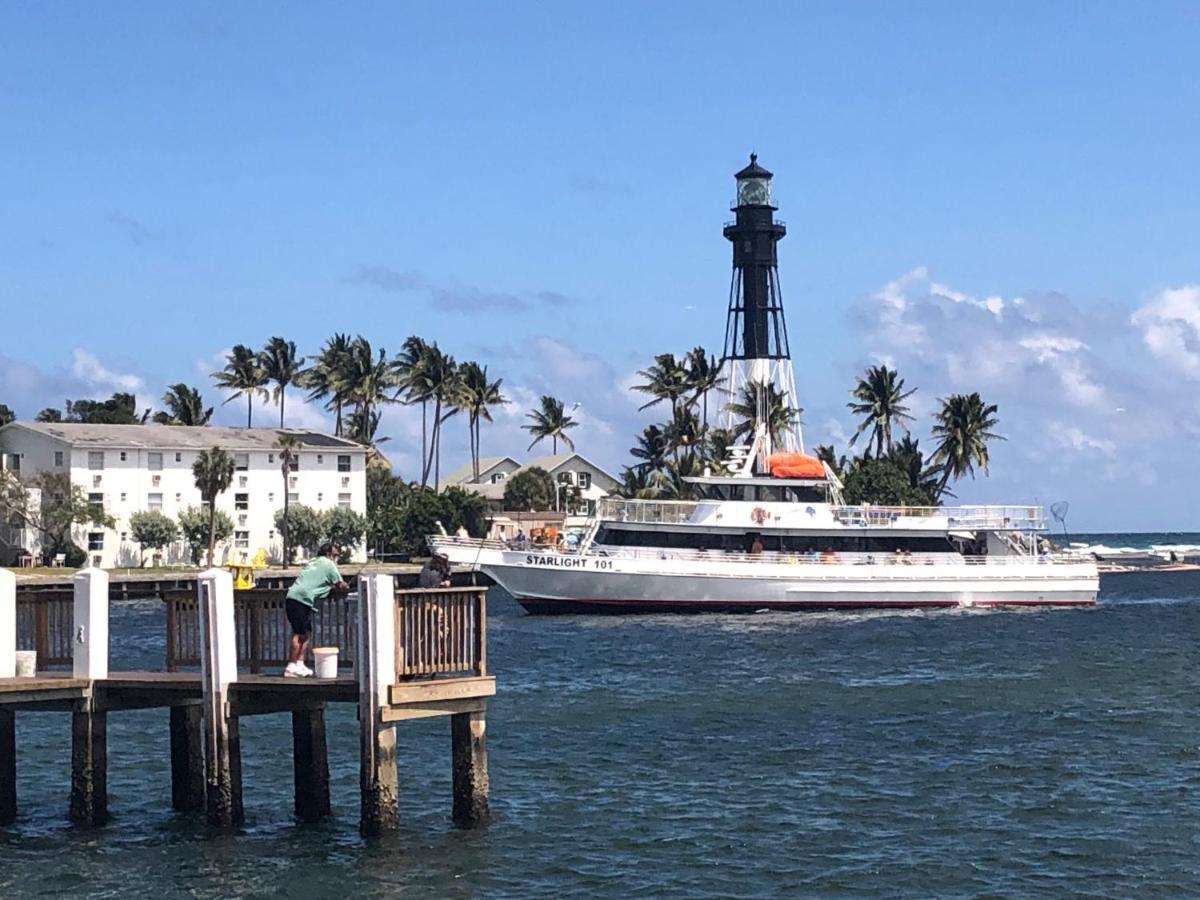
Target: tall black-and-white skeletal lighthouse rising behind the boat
<point x="757" y="361"/>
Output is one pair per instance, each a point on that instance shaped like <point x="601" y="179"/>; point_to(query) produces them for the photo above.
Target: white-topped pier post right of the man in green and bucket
<point x="377" y="670"/>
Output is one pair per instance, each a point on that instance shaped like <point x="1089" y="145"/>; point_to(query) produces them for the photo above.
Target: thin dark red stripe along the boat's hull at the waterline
<point x="596" y="605"/>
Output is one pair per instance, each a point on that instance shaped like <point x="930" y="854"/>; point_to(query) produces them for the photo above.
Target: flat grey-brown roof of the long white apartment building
<point x="184" y="437"/>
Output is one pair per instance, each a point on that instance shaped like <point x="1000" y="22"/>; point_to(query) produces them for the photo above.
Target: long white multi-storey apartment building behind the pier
<point x="149" y="467"/>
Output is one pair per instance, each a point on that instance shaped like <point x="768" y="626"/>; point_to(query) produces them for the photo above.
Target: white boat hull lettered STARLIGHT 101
<point x="548" y="583"/>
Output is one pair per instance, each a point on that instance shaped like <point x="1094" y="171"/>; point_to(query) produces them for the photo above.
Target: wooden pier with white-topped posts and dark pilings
<point x="404" y="655"/>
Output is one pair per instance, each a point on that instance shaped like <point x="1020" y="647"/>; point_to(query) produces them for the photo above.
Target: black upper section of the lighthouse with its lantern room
<point x="755" y="328"/>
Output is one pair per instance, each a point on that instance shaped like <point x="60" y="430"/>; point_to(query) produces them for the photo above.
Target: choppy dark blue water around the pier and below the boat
<point x="933" y="754"/>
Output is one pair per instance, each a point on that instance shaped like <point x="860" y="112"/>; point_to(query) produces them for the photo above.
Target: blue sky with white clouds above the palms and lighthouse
<point x="989" y="197"/>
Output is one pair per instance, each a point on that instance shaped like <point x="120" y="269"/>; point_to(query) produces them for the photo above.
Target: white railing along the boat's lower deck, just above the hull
<point x="825" y="559"/>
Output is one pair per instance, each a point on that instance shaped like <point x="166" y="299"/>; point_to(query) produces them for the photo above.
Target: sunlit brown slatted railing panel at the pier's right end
<point x="441" y="632"/>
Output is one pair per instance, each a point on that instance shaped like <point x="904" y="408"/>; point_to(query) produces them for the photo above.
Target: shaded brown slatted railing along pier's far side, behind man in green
<point x="263" y="631"/>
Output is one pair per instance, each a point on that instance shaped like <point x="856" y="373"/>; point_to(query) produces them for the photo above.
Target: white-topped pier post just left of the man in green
<point x="219" y="670"/>
